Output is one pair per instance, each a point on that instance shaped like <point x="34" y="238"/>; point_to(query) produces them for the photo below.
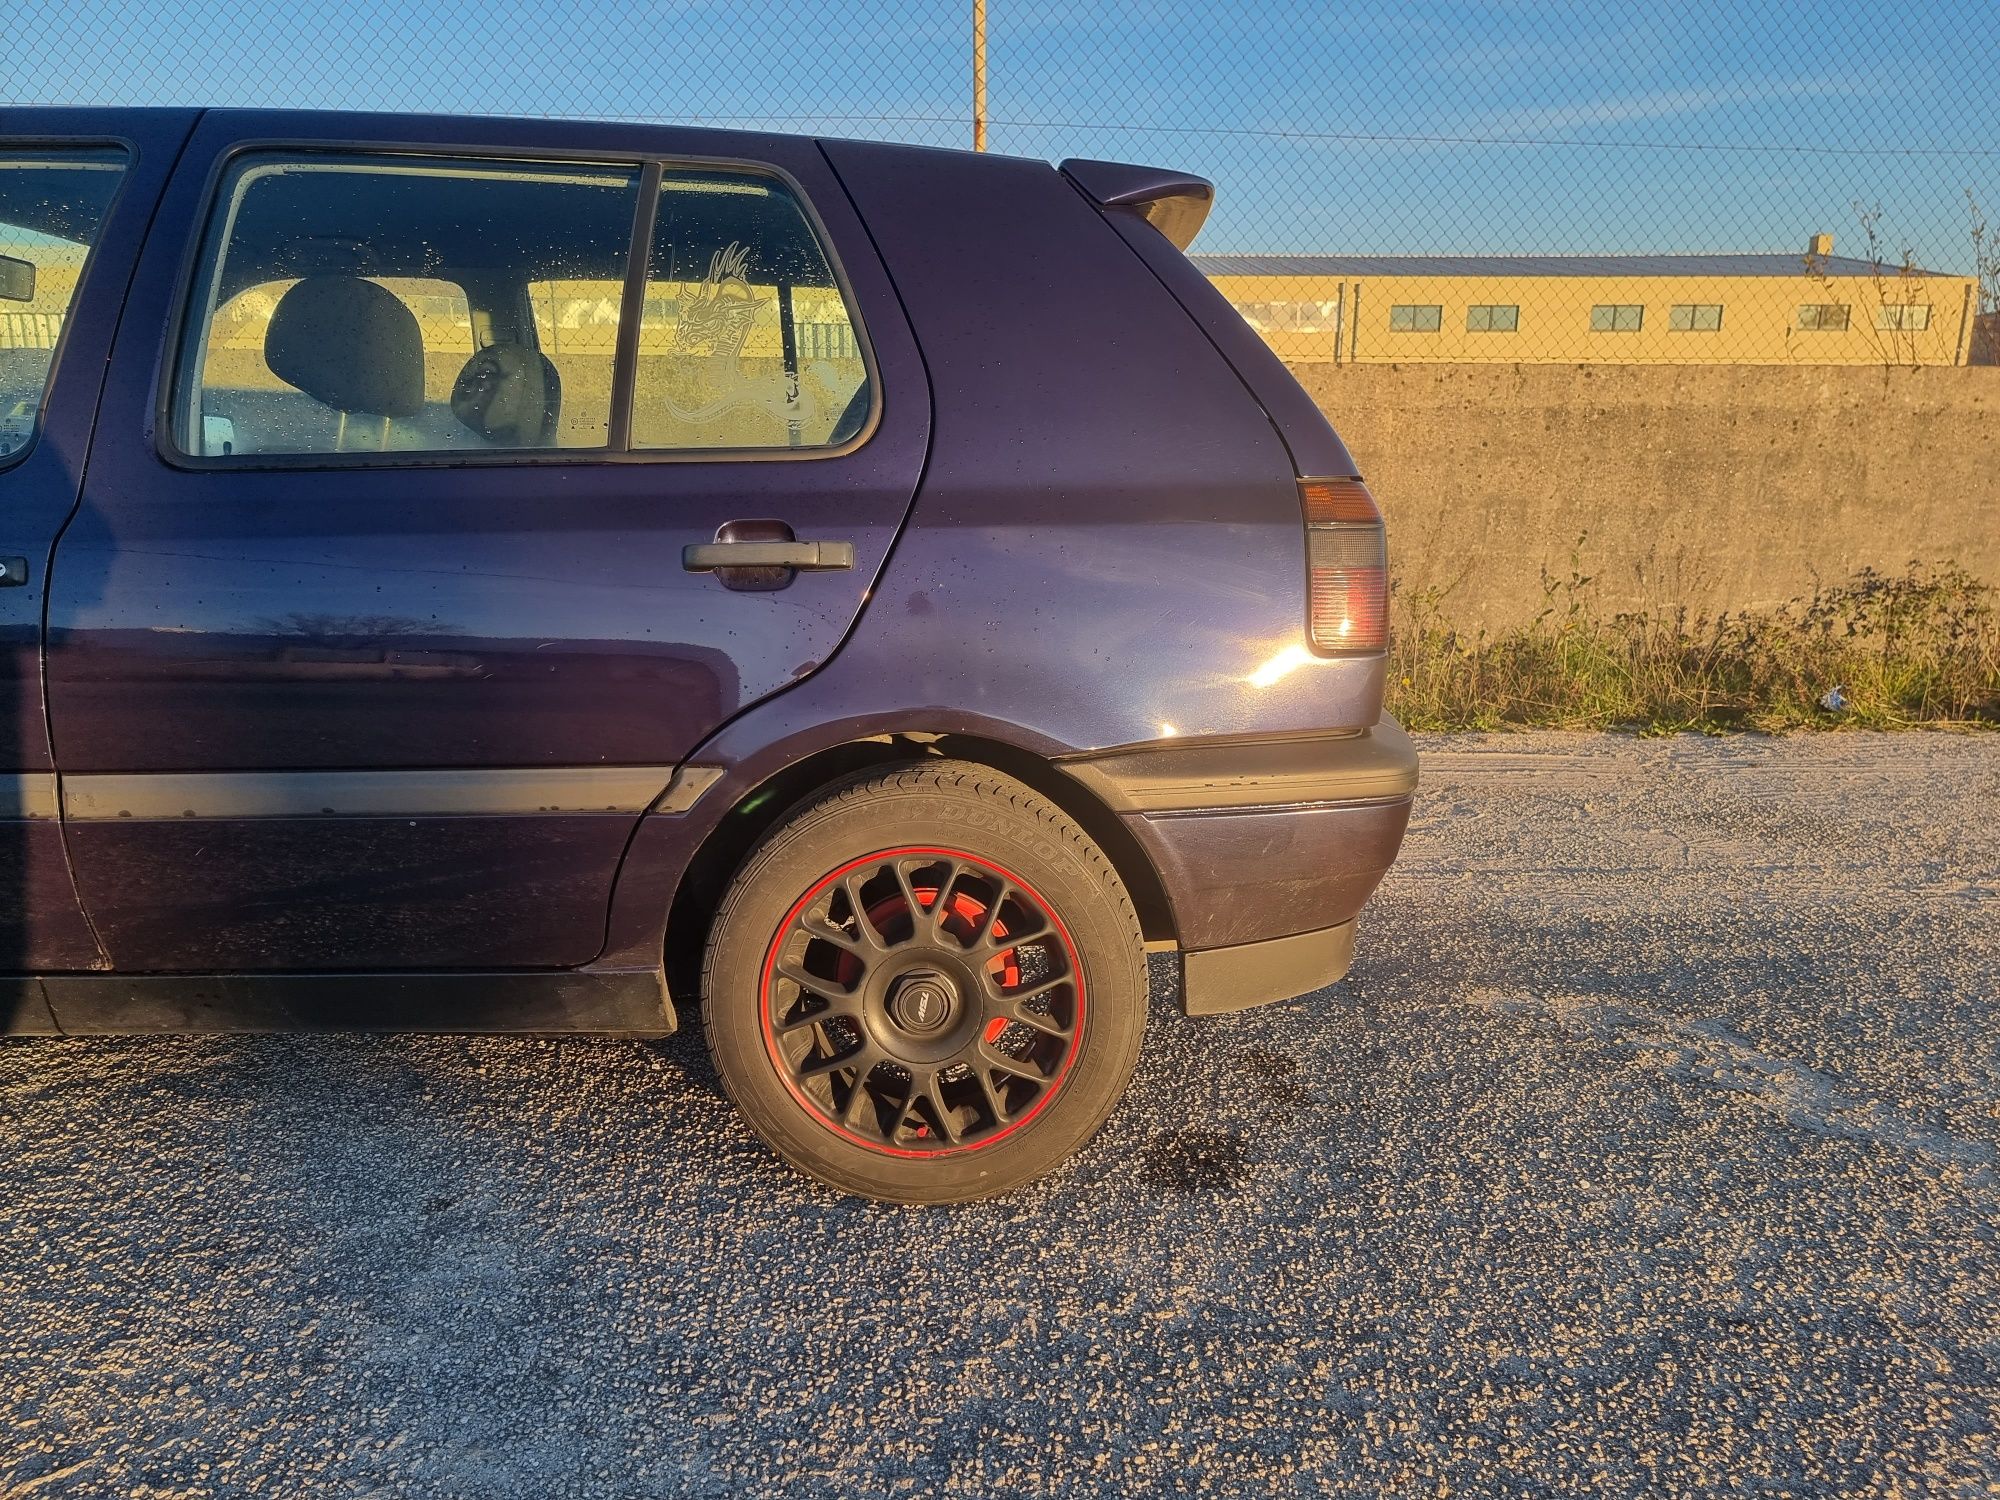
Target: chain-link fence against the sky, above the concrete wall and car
<point x="1629" y="183"/>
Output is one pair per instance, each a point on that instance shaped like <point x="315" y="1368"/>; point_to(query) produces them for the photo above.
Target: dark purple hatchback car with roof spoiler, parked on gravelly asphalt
<point x="493" y="575"/>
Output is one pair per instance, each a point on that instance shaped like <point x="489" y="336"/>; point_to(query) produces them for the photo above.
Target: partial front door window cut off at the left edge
<point x="51" y="209"/>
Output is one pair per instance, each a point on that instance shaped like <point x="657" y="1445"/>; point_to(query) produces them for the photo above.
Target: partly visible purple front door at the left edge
<point x="77" y="189"/>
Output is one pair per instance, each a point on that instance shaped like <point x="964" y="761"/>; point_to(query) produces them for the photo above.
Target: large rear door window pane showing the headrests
<point x="391" y="305"/>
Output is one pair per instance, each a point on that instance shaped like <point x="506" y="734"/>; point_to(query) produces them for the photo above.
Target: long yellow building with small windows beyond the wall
<point x="1753" y="309"/>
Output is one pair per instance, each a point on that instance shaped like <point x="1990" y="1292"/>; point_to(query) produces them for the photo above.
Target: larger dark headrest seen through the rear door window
<point x="351" y="345"/>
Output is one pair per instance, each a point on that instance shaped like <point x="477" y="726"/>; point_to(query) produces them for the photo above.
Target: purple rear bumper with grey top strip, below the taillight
<point x="1265" y="849"/>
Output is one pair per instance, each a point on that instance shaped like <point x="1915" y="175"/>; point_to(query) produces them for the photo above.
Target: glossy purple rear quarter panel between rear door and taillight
<point x="1107" y="545"/>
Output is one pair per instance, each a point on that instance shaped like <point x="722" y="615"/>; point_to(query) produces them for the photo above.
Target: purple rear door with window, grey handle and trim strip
<point x="375" y="635"/>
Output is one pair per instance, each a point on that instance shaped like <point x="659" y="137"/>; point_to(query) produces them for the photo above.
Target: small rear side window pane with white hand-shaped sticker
<point x="747" y="339"/>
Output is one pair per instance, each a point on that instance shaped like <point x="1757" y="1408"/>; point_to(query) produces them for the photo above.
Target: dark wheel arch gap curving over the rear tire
<point x="739" y="831"/>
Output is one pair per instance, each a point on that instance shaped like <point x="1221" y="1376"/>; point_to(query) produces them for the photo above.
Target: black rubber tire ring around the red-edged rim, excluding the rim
<point x="987" y="827"/>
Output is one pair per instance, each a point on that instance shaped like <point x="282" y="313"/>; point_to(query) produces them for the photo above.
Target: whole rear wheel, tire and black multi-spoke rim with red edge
<point x="925" y="987"/>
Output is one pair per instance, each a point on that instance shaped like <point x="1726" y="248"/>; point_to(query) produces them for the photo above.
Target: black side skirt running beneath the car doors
<point x="597" y="1003"/>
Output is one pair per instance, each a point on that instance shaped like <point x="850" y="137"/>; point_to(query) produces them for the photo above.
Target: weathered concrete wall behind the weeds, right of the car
<point x="1721" y="487"/>
